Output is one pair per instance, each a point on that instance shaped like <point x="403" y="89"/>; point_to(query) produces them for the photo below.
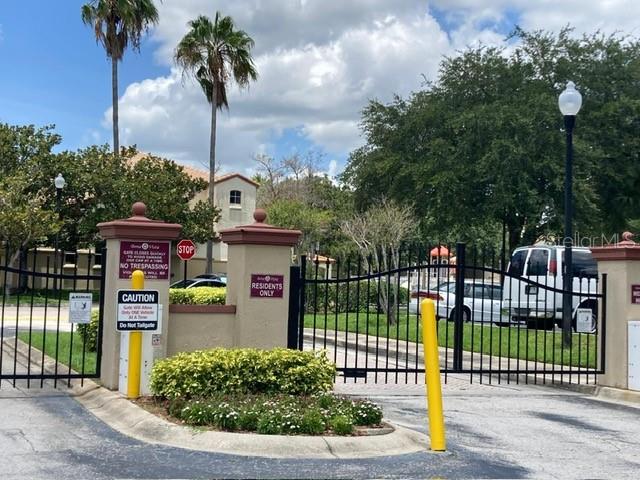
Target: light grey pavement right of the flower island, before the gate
<point x="543" y="432"/>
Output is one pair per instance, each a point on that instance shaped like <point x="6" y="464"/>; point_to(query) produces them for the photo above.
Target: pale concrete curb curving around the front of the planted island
<point x="131" y="420"/>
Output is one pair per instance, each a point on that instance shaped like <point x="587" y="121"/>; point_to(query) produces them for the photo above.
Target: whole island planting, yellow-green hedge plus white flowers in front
<point x="278" y="391"/>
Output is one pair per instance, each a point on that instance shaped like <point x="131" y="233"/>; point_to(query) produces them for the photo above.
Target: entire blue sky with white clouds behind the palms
<point x="320" y="61"/>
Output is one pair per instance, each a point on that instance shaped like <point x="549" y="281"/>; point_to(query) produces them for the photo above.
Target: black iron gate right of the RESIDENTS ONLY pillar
<point x="496" y="322"/>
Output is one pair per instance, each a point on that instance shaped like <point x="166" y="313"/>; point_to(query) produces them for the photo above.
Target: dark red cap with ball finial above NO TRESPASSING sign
<point x="139" y="227"/>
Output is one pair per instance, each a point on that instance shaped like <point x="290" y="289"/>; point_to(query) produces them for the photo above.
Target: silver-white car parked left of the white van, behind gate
<point x="481" y="301"/>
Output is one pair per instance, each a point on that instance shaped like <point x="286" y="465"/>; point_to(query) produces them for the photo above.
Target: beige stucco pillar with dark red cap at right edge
<point x="621" y="264"/>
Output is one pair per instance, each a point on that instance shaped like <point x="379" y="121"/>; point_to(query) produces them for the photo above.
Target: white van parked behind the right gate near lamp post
<point x="535" y="303"/>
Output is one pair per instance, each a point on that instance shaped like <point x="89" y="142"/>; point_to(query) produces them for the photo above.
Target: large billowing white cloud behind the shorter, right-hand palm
<point x="319" y="81"/>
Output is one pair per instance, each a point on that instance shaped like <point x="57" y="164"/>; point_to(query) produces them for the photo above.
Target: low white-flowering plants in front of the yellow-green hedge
<point x="278" y="414"/>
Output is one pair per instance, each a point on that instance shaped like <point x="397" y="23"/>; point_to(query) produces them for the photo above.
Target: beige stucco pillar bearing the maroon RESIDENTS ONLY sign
<point x="259" y="250"/>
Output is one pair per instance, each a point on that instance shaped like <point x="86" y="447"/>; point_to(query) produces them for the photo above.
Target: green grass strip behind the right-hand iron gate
<point x="513" y="342"/>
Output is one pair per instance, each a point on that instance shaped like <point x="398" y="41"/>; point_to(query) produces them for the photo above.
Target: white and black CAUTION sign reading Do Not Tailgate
<point x="137" y="310"/>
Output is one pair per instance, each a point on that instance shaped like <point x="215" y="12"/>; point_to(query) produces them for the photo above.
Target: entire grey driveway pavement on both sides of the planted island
<point x="506" y="431"/>
